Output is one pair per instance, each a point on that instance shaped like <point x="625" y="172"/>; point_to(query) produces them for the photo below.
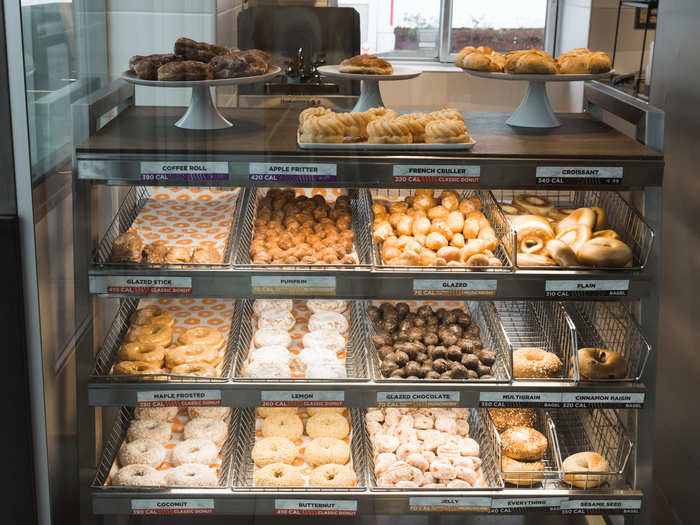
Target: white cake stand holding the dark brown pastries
<point x="202" y="113"/>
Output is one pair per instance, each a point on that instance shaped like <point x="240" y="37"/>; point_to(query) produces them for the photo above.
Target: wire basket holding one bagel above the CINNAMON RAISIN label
<point x="610" y="325"/>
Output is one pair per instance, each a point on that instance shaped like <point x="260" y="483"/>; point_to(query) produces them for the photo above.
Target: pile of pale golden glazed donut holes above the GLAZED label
<point x="429" y="230"/>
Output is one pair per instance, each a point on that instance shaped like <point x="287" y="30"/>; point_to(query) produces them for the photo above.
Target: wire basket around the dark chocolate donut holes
<point x="483" y="314"/>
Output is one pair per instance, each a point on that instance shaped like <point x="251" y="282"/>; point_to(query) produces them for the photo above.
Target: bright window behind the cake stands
<point x="437" y="29"/>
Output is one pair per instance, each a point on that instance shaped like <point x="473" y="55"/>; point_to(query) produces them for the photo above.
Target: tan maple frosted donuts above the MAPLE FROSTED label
<point x="148" y="347"/>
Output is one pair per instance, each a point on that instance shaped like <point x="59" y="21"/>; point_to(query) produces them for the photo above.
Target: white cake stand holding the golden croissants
<point x="535" y="111"/>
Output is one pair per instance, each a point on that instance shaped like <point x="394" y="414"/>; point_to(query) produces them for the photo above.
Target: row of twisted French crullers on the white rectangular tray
<point x="382" y="126"/>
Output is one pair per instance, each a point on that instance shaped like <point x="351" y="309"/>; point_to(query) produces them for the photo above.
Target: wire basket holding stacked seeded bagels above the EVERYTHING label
<point x="532" y="478"/>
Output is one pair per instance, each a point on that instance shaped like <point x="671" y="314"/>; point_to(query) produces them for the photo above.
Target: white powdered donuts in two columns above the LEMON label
<point x="275" y="342"/>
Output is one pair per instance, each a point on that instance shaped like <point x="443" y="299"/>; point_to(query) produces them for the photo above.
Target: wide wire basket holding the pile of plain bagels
<point x="621" y="217"/>
